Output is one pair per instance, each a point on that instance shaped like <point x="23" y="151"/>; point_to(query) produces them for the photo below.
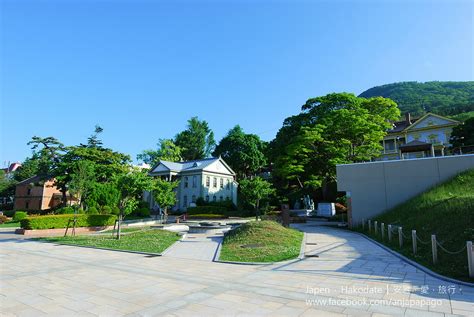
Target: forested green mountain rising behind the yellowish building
<point x="441" y="97"/>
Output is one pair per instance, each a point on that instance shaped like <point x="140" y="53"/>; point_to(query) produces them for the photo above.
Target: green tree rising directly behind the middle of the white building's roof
<point x="197" y="141"/>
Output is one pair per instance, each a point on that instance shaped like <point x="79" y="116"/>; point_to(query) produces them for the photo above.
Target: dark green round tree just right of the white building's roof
<point x="243" y="152"/>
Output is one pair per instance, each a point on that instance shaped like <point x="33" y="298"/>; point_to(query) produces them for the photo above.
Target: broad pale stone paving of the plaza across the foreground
<point x="351" y="276"/>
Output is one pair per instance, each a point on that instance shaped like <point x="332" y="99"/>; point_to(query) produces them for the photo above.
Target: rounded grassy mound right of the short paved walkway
<point x="261" y="241"/>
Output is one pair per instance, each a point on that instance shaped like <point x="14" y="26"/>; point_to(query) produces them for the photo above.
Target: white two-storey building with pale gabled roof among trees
<point x="212" y="179"/>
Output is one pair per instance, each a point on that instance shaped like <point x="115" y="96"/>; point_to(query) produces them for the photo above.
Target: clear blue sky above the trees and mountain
<point x="141" y="69"/>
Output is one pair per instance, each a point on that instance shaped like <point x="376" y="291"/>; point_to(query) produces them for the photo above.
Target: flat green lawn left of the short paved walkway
<point x="153" y="241"/>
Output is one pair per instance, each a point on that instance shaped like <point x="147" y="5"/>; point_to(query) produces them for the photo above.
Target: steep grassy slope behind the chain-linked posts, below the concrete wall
<point x="446" y="210"/>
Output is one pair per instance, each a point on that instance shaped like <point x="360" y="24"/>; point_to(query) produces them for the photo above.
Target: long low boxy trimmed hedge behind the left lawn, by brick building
<point x="61" y="221"/>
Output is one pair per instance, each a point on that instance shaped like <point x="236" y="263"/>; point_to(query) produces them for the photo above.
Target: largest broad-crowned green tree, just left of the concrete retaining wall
<point x="333" y="129"/>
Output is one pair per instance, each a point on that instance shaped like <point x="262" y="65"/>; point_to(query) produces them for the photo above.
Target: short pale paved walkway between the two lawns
<point x="196" y="246"/>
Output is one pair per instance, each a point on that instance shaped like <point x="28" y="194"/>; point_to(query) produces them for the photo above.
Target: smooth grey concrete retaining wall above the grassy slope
<point x="378" y="186"/>
